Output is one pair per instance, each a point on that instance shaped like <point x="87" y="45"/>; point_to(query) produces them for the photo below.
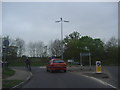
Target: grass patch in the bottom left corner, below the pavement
<point x="10" y="83"/>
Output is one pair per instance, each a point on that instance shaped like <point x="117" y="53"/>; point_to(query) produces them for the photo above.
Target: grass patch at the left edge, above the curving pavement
<point x="7" y="72"/>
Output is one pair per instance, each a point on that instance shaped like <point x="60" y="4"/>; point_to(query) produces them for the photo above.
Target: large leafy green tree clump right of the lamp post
<point x="76" y="45"/>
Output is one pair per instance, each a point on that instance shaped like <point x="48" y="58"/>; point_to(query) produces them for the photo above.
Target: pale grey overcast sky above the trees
<point x="36" y="21"/>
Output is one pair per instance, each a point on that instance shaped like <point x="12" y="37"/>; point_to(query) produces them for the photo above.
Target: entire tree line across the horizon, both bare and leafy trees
<point x="73" y="45"/>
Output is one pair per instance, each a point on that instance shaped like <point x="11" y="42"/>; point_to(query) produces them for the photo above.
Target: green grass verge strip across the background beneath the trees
<point x="43" y="62"/>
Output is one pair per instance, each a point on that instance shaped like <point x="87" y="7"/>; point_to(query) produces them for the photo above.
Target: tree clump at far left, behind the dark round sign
<point x="15" y="48"/>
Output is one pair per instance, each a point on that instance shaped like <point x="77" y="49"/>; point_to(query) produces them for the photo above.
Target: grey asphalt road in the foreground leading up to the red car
<point x="43" y="79"/>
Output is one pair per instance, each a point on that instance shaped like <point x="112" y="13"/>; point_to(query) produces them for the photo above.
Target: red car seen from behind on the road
<point x="56" y="64"/>
